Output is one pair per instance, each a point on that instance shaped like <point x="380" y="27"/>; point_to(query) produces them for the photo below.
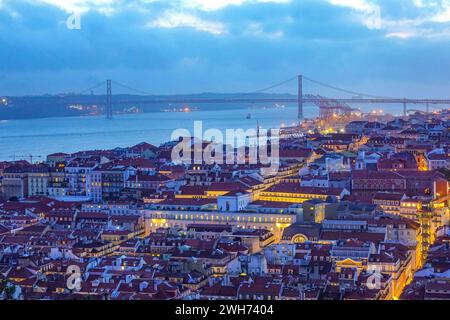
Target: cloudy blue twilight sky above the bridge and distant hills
<point x="385" y="47"/>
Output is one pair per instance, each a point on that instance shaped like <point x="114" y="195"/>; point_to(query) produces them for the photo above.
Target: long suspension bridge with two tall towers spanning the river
<point x="327" y="106"/>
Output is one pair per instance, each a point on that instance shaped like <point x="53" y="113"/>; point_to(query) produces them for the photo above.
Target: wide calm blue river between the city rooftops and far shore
<point x="45" y="136"/>
